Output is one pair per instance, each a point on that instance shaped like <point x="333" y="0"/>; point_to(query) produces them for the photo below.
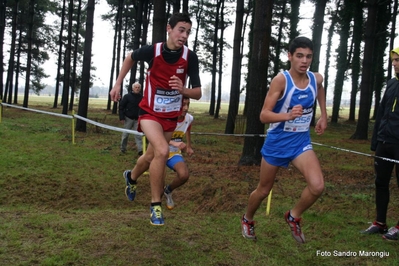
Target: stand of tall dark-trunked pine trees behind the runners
<point x="363" y="30"/>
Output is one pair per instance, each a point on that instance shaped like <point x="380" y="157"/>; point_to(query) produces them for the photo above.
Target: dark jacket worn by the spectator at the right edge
<point x="386" y="127"/>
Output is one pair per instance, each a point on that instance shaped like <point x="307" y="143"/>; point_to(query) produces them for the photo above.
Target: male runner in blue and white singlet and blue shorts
<point x="288" y="107"/>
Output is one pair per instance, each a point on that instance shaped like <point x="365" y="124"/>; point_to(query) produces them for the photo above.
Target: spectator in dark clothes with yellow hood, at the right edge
<point x="385" y="143"/>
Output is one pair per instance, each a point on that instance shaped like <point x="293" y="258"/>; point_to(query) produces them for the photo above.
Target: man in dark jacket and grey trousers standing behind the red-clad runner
<point x="129" y="115"/>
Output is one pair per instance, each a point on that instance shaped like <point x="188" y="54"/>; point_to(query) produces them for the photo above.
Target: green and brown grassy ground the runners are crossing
<point x="64" y="204"/>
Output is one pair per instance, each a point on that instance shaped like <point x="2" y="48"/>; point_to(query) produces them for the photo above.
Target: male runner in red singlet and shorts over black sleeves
<point x="170" y="64"/>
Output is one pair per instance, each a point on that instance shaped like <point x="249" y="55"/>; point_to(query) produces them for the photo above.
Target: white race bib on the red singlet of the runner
<point x="166" y="101"/>
